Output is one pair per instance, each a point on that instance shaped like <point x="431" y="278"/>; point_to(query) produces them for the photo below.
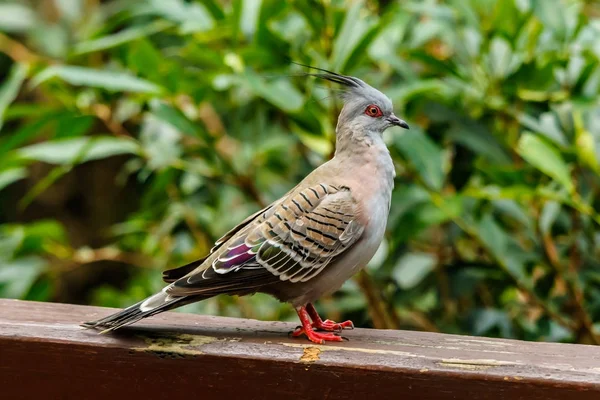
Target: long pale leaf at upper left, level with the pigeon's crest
<point x="108" y="80"/>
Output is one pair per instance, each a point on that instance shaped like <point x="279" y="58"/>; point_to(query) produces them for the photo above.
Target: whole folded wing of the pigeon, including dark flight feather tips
<point x="291" y="241"/>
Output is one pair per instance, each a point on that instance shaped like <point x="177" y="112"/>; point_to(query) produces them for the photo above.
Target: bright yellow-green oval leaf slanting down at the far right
<point x="546" y="158"/>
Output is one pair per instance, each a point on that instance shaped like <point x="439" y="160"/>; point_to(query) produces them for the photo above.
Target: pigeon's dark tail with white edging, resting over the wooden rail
<point x="154" y="304"/>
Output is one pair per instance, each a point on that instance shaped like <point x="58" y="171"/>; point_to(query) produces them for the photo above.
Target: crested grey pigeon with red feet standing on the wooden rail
<point x="306" y="244"/>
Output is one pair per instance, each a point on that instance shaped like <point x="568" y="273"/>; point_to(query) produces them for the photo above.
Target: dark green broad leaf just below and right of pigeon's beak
<point x="424" y="155"/>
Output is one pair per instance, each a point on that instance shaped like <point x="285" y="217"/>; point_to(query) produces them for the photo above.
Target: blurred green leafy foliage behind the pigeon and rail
<point x="135" y="133"/>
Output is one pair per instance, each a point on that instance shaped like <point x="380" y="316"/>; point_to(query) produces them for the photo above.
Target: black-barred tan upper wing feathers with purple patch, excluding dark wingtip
<point x="297" y="238"/>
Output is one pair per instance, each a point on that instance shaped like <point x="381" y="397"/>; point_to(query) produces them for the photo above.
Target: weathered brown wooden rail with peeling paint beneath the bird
<point x="45" y="354"/>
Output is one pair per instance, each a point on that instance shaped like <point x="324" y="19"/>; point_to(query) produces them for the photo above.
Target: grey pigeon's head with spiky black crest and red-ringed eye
<point x="365" y="108"/>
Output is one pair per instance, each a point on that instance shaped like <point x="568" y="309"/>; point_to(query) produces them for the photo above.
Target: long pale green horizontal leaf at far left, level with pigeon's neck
<point x="78" y="150"/>
